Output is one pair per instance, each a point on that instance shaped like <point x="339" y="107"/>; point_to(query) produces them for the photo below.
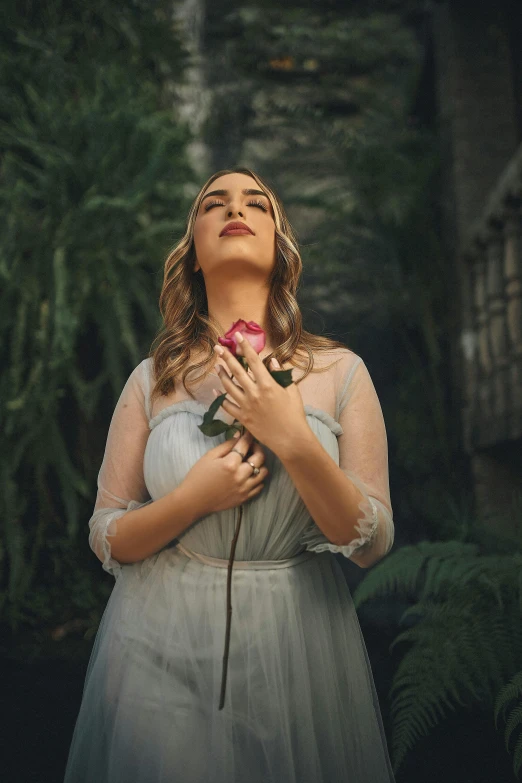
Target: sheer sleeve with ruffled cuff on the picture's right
<point x="363" y="457"/>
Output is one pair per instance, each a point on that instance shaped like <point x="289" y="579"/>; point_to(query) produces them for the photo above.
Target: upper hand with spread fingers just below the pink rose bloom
<point x="272" y="413"/>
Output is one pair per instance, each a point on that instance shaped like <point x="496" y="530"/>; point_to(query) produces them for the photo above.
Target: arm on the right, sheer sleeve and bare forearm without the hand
<point x="350" y="502"/>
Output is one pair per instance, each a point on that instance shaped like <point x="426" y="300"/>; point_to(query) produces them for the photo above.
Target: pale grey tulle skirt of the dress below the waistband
<point x="300" y="706"/>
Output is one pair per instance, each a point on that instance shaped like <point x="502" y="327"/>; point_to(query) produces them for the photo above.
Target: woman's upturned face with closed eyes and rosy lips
<point x="253" y="253"/>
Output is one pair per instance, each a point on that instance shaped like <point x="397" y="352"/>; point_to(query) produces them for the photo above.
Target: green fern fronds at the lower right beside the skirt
<point x="463" y="630"/>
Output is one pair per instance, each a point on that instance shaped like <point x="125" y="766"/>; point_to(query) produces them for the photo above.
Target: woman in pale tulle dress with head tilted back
<point x="311" y="473"/>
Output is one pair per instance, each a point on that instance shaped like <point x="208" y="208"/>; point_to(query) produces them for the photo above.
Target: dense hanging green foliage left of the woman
<point x="92" y="176"/>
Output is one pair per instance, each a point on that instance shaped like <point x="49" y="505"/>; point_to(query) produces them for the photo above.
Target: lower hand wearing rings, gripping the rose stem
<point x="220" y="479"/>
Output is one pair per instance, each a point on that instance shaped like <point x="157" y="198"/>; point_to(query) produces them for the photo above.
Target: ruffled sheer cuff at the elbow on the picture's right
<point x="374" y="527"/>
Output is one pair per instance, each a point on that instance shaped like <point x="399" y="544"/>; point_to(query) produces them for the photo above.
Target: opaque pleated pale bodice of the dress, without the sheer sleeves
<point x="272" y="522"/>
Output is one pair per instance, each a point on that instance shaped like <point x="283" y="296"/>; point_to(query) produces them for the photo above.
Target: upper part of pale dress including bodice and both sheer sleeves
<point x="151" y="446"/>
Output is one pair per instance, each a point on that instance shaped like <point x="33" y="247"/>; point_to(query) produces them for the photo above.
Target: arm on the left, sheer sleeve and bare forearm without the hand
<point x="147" y="525"/>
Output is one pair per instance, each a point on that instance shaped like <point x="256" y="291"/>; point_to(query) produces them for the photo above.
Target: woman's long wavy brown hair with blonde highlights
<point x="187" y="325"/>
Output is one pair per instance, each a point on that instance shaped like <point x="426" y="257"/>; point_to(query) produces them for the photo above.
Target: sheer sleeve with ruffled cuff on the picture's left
<point x="121" y="484"/>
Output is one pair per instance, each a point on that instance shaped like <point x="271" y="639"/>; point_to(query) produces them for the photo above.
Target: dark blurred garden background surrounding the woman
<point x="392" y="131"/>
